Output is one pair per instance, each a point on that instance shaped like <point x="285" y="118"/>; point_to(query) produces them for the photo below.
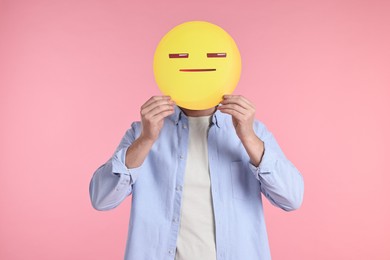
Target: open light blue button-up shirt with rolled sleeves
<point x="237" y="188"/>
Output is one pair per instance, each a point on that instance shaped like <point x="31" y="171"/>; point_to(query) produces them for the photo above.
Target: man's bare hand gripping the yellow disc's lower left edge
<point x="153" y="113"/>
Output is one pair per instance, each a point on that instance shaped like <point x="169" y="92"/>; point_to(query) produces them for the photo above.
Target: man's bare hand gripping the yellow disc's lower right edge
<point x="242" y="112"/>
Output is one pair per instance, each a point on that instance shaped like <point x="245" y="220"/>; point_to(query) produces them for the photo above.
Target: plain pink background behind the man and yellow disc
<point x="73" y="75"/>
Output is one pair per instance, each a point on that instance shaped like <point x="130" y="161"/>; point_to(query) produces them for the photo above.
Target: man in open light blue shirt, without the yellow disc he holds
<point x="197" y="178"/>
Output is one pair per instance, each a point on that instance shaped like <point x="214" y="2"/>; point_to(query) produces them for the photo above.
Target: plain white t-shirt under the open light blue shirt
<point x="196" y="238"/>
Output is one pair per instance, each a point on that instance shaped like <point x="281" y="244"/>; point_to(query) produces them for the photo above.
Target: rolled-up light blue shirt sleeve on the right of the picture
<point x="281" y="182"/>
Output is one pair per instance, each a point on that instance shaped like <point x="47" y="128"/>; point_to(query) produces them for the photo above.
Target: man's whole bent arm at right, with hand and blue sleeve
<point x="280" y="181"/>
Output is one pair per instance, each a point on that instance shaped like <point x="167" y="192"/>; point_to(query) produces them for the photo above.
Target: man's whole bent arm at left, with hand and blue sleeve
<point x="113" y="181"/>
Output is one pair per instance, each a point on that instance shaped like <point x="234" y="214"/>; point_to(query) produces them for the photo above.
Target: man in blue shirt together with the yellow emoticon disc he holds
<point x="198" y="163"/>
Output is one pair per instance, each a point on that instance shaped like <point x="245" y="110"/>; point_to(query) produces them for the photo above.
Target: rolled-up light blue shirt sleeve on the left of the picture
<point x="113" y="181"/>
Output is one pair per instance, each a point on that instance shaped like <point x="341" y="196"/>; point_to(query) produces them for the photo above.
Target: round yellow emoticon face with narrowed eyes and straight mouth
<point x="196" y="63"/>
